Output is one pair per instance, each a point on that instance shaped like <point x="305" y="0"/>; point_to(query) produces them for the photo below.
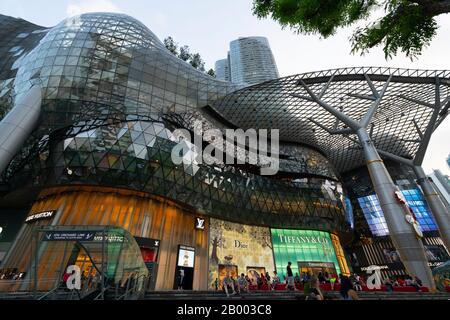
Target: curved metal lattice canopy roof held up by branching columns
<point x="402" y="117"/>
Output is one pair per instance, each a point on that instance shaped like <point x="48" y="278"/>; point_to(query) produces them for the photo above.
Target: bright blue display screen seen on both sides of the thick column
<point x="375" y="218"/>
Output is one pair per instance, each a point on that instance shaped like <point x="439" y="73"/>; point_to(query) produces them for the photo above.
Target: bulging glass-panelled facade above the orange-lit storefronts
<point x="111" y="92"/>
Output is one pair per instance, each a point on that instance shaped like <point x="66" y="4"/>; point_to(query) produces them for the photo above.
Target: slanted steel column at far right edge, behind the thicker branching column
<point x="440" y="212"/>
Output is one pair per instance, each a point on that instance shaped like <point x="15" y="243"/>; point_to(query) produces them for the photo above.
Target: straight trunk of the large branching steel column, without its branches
<point x="402" y="234"/>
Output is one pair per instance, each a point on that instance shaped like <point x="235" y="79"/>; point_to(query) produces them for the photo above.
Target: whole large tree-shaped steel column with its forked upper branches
<point x="402" y="233"/>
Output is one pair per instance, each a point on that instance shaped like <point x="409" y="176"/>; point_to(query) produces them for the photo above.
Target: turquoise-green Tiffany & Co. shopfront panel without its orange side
<point x="300" y="247"/>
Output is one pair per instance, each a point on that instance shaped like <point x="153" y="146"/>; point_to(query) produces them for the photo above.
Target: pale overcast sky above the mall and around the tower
<point x="207" y="27"/>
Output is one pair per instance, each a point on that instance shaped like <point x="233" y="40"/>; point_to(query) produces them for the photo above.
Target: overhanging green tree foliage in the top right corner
<point x="407" y="25"/>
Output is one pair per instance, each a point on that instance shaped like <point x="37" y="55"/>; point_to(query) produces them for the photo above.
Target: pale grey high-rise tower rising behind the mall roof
<point x="249" y="61"/>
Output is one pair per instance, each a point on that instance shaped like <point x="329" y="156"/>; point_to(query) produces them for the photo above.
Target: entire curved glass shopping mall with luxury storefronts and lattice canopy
<point x="88" y="112"/>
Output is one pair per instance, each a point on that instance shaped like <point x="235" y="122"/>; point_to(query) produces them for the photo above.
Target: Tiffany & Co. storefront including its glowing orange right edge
<point x="308" y="251"/>
